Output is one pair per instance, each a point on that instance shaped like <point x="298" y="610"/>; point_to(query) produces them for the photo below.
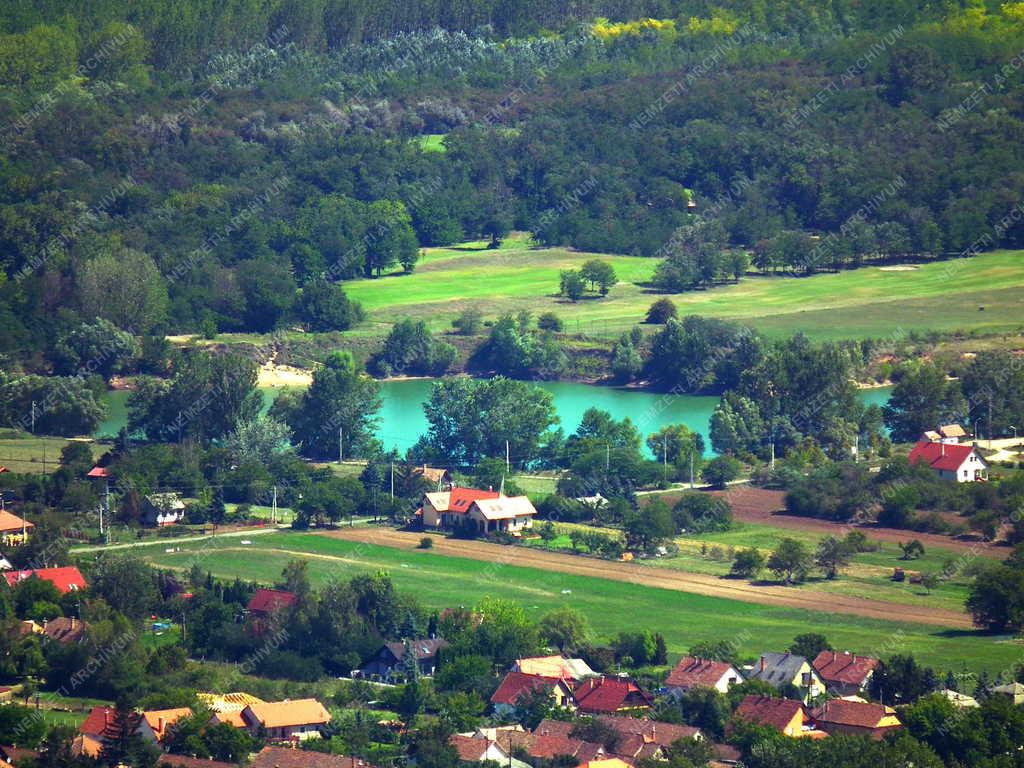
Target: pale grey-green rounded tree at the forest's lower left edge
<point x="126" y="289"/>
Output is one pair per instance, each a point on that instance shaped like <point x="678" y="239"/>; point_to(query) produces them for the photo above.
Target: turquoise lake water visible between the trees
<point x="403" y="421"/>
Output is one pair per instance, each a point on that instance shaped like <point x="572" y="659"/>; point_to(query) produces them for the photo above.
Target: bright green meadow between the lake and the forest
<point x="868" y="303"/>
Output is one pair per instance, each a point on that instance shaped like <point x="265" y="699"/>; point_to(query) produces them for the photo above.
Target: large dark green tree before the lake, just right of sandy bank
<point x="340" y="405"/>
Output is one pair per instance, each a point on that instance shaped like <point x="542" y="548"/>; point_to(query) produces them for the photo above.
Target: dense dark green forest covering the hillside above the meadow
<point x="177" y="167"/>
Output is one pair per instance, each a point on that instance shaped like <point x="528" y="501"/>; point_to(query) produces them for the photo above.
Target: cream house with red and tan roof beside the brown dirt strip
<point x="487" y="510"/>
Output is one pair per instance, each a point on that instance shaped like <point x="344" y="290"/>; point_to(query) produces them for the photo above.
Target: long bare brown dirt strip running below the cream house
<point x="649" y="577"/>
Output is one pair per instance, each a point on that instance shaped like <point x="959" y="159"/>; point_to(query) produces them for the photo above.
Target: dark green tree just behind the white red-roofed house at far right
<point x="923" y="400"/>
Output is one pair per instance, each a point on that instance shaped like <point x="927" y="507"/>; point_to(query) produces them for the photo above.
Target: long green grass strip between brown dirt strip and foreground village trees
<point x="611" y="607"/>
